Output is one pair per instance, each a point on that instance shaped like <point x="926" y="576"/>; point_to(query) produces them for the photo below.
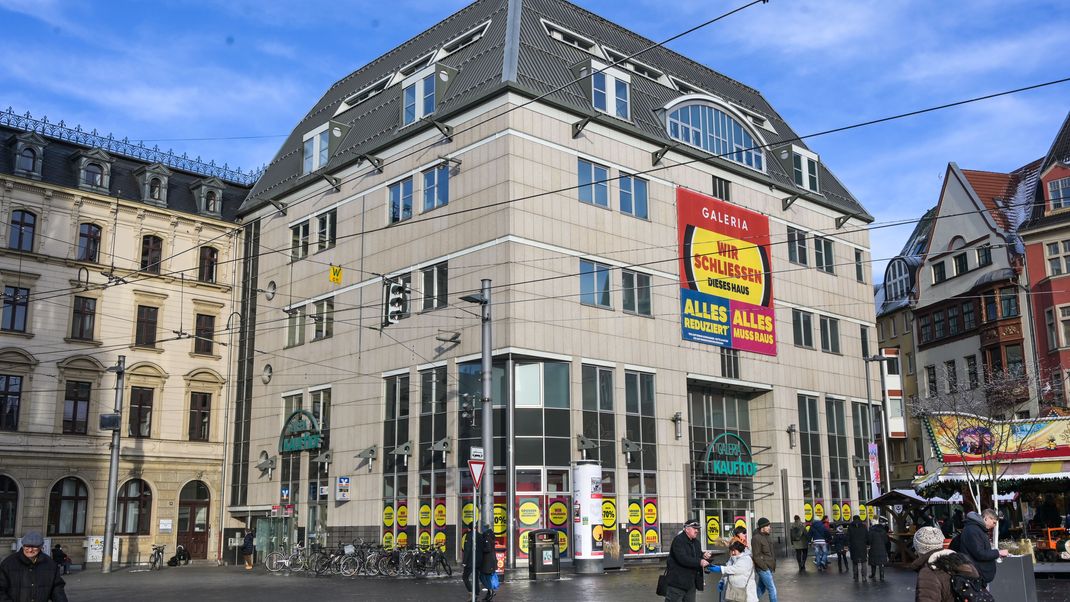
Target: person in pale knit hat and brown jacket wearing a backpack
<point x="944" y="576"/>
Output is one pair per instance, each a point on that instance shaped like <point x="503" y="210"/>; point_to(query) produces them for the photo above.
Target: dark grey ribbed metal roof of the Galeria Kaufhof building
<point x="543" y="66"/>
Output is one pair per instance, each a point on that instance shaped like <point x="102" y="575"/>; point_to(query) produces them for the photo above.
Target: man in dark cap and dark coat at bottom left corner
<point x="28" y="576"/>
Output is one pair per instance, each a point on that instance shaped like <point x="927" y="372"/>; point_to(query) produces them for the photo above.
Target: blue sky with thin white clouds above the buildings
<point x="226" y="81"/>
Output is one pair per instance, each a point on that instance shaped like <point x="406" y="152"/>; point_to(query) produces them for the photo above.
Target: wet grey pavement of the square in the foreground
<point x="234" y="584"/>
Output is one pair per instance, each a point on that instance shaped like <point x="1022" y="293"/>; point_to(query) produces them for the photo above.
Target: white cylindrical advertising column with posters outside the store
<point x="588" y="517"/>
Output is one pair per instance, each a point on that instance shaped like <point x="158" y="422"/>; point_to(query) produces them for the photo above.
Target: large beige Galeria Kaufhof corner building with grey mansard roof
<point x="633" y="225"/>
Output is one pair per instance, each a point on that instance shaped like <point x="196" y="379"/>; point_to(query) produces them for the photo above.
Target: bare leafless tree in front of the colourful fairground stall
<point x="988" y="424"/>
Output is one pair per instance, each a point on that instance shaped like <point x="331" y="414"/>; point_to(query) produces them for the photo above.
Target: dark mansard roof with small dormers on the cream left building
<point x="59" y="171"/>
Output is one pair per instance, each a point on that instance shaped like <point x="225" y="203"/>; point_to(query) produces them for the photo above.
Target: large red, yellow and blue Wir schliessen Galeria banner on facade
<point x="726" y="291"/>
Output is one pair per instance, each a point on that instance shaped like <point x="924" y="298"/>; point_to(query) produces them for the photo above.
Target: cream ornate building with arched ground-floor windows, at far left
<point x="109" y="250"/>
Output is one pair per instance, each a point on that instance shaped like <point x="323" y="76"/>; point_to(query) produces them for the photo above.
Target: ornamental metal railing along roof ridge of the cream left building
<point x="127" y="148"/>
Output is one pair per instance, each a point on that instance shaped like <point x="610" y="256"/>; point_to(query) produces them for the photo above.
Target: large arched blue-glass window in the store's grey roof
<point x="699" y="122"/>
